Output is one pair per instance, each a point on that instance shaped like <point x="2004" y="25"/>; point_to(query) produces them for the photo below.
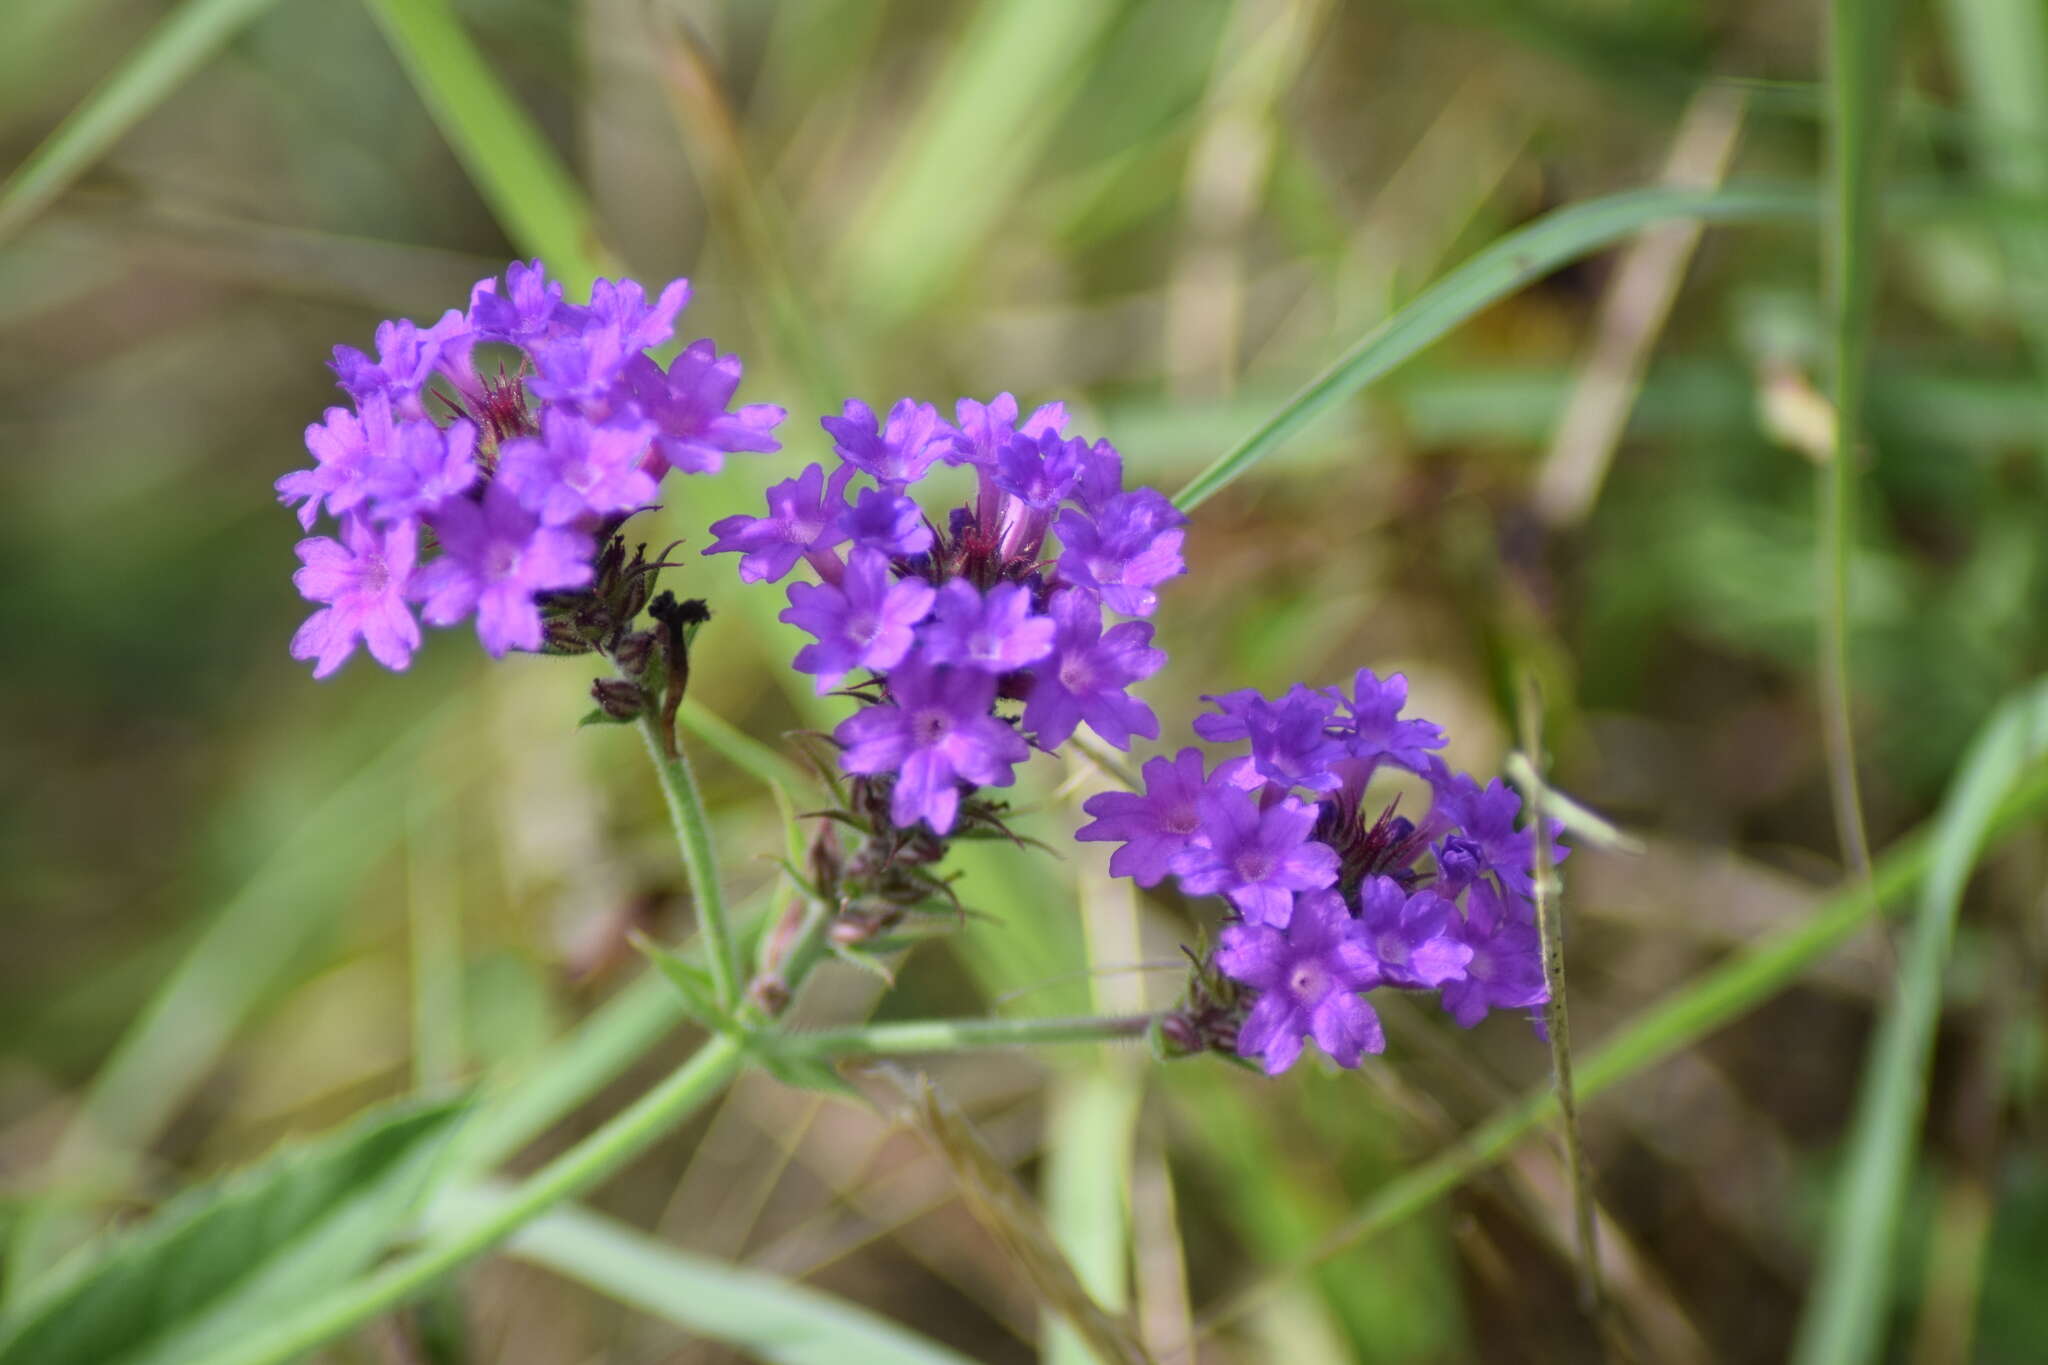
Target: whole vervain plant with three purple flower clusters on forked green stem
<point x="488" y="470"/>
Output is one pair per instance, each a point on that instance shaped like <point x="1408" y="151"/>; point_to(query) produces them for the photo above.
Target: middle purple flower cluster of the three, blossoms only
<point x="1005" y="601"/>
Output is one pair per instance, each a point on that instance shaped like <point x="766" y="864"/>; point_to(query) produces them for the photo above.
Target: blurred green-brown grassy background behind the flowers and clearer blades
<point x="1168" y="214"/>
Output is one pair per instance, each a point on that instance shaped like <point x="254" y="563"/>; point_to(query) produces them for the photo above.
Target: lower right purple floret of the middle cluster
<point x="1091" y="674"/>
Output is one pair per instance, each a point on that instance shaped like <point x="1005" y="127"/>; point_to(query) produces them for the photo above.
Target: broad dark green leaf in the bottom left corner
<point x="224" y="1260"/>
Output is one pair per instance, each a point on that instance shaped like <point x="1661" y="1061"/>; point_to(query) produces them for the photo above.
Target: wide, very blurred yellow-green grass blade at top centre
<point x="968" y="150"/>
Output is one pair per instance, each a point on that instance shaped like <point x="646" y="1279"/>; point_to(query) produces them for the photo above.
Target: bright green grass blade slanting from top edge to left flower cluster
<point x="515" y="169"/>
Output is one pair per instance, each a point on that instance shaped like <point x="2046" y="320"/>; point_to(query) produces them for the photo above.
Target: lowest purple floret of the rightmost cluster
<point x="1308" y="983"/>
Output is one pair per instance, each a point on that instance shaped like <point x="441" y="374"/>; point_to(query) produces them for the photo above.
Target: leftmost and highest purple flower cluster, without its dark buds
<point x="513" y="478"/>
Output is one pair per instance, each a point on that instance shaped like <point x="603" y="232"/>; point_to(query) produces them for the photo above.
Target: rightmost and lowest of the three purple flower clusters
<point x="1332" y="904"/>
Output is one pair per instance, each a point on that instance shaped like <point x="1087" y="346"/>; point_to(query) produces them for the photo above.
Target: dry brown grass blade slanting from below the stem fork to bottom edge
<point x="1009" y="1213"/>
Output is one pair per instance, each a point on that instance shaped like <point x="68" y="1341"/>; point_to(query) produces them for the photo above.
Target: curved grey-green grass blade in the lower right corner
<point x="1850" y="1307"/>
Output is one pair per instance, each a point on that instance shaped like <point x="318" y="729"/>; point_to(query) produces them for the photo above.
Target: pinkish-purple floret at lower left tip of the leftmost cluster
<point x="364" y="584"/>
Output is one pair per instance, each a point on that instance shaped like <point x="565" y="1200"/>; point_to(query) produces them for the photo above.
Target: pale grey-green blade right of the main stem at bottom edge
<point x="761" y="1315"/>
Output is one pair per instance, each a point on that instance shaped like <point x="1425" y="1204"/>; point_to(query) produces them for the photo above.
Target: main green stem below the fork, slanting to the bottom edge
<point x="579" y="1170"/>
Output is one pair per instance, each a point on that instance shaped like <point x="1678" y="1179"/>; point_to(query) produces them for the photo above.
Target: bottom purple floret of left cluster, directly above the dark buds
<point x="495" y="558"/>
